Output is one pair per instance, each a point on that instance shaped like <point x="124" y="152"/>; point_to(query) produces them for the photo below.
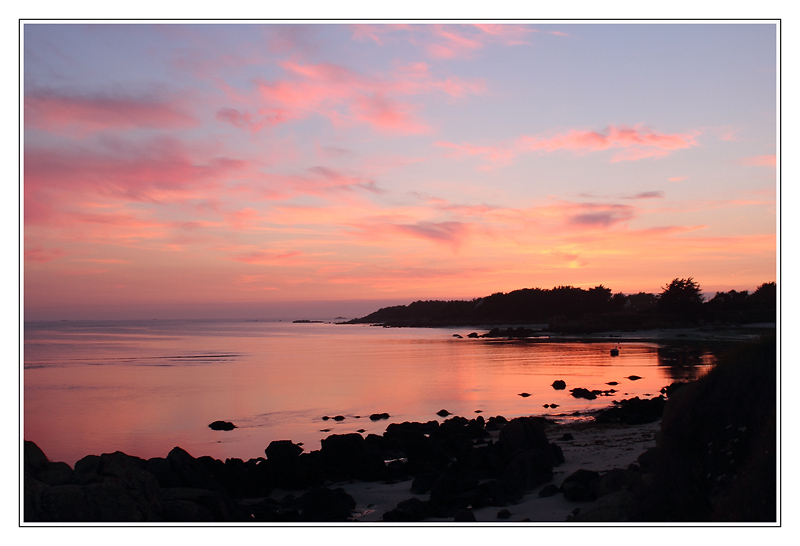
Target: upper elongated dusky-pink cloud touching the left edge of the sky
<point x="91" y="113"/>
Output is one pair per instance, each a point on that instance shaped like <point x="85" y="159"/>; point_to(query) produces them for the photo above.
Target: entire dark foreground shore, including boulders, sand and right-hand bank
<point x="701" y="451"/>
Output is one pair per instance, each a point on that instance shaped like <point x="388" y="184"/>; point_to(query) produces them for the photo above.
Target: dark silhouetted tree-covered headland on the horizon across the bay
<point x="570" y="309"/>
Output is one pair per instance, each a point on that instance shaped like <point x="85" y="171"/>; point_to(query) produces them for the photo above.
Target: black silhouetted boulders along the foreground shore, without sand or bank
<point x="450" y="469"/>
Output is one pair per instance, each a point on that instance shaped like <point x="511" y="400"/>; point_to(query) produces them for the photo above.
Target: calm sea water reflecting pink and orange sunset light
<point x="144" y="387"/>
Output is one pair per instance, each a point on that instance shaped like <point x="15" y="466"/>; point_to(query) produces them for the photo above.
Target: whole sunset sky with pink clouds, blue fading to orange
<point x="292" y="170"/>
